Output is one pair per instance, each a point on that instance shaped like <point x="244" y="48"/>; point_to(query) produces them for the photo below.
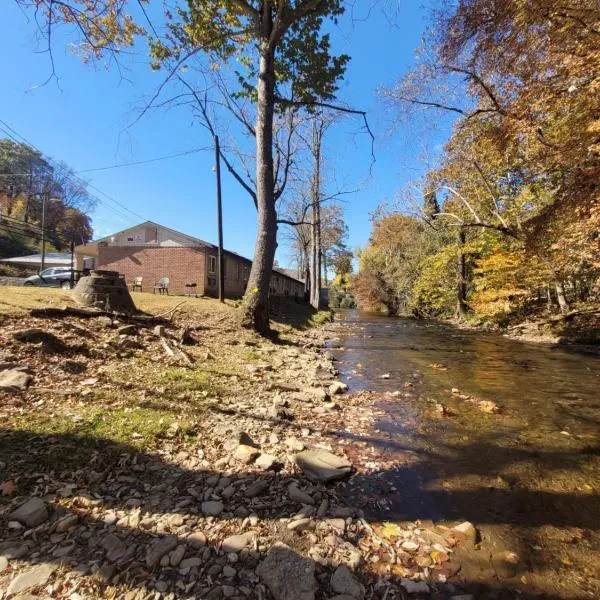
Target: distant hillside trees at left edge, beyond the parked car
<point x="27" y="179"/>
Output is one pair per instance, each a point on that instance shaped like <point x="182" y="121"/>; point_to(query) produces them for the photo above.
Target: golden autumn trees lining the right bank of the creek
<point x="514" y="203"/>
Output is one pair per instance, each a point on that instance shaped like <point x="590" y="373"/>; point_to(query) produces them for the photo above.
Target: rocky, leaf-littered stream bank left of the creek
<point x="186" y="459"/>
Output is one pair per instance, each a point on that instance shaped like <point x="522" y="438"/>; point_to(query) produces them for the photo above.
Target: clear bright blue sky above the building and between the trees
<point x="82" y="119"/>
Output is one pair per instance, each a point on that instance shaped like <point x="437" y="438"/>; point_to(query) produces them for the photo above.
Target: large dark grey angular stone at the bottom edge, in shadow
<point x="288" y="575"/>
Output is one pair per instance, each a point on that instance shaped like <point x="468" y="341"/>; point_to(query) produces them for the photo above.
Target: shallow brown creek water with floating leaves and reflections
<point x="474" y="426"/>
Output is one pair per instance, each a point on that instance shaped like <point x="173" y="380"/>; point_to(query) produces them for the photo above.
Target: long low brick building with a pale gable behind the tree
<point x="152" y="251"/>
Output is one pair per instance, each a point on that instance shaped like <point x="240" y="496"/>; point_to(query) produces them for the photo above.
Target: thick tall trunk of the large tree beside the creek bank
<point x="255" y="306"/>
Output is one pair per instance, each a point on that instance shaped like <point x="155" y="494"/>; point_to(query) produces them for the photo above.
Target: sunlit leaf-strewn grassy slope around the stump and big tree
<point x="95" y="392"/>
